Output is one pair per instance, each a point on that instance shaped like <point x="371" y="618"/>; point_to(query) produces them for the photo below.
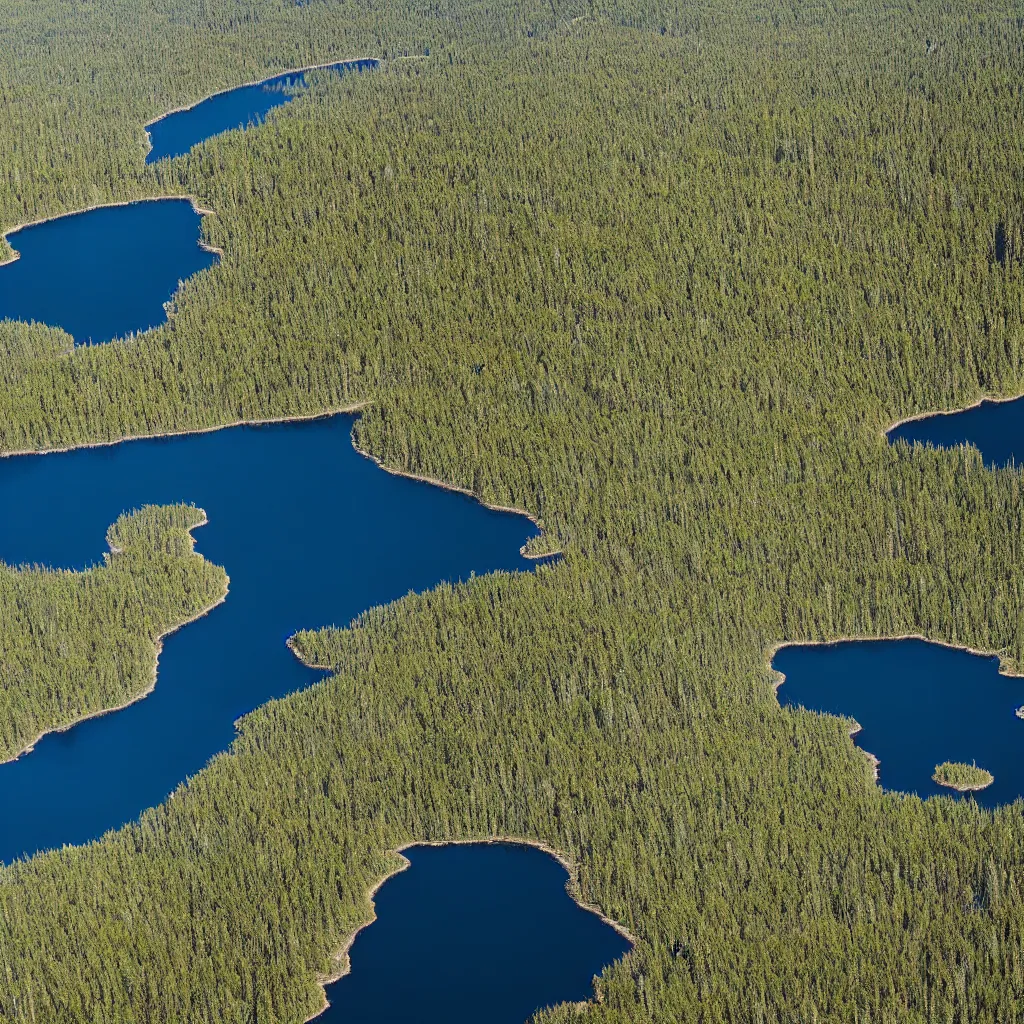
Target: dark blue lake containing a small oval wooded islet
<point x="920" y="705"/>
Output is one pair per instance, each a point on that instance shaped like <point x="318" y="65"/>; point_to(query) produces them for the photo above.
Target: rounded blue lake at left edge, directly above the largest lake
<point x="104" y="274"/>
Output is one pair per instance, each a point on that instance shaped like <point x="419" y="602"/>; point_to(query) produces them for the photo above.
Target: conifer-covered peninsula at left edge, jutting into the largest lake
<point x="75" y="645"/>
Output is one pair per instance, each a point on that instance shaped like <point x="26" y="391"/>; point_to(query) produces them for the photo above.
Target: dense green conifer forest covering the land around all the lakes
<point x="661" y="275"/>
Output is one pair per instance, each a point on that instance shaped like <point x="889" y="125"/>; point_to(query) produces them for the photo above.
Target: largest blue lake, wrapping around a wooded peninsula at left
<point x="311" y="533"/>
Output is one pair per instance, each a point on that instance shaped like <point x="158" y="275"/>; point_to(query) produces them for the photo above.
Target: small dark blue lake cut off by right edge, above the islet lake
<point x="996" y="429"/>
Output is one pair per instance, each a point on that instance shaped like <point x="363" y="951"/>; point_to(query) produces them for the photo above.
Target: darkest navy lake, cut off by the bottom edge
<point x="476" y="933"/>
